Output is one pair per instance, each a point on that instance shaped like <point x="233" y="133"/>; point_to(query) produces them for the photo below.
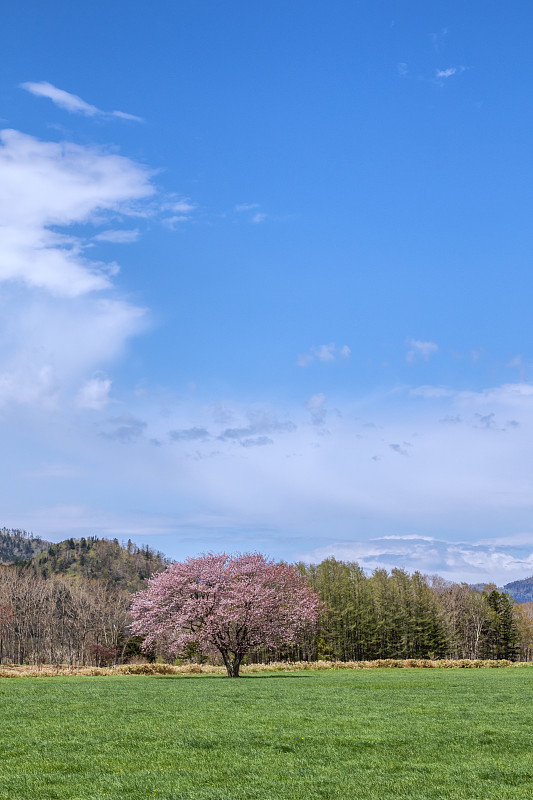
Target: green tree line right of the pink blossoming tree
<point x="399" y="615"/>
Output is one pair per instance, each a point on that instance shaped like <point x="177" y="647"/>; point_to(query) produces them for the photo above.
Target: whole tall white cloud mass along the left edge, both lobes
<point x="60" y="317"/>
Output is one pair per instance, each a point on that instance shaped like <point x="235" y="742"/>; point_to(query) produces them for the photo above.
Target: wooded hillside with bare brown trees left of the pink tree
<point x="69" y="602"/>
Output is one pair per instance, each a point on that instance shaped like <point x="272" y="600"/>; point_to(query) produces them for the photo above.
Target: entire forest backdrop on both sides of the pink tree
<point x="68" y="603"/>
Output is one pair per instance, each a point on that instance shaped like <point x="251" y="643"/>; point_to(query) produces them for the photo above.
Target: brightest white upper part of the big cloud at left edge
<point x="45" y="185"/>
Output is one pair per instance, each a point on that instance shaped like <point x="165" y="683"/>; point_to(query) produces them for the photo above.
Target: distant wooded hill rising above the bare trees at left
<point x="127" y="566"/>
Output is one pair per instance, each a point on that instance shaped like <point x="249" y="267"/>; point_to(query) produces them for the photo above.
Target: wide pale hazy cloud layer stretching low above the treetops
<point x="388" y="468"/>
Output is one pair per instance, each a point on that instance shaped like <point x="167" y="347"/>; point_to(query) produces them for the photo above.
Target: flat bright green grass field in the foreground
<point x="418" y="734"/>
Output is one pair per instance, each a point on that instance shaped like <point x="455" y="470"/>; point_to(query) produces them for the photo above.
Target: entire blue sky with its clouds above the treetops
<point x="265" y="279"/>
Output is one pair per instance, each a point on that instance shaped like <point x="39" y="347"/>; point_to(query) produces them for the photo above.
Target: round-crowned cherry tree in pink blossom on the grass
<point x="227" y="603"/>
